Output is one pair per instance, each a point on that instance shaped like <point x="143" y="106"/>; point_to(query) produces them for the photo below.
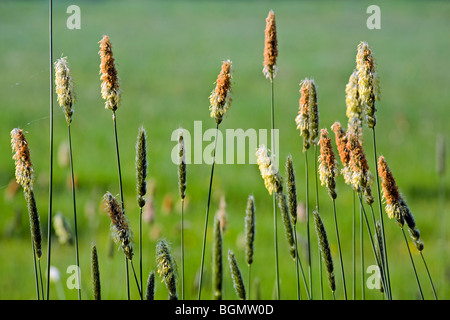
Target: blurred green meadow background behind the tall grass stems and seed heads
<point x="168" y="55"/>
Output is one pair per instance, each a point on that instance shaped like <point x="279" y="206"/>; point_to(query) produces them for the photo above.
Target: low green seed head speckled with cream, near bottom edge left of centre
<point x="167" y="268"/>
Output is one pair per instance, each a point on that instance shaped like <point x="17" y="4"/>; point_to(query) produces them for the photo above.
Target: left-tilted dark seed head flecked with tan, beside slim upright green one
<point x="119" y="225"/>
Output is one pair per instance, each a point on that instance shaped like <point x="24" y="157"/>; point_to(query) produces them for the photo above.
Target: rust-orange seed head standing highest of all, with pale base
<point x="270" y="47"/>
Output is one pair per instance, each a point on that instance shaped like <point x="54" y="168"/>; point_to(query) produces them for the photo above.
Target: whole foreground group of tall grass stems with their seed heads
<point x="362" y="92"/>
